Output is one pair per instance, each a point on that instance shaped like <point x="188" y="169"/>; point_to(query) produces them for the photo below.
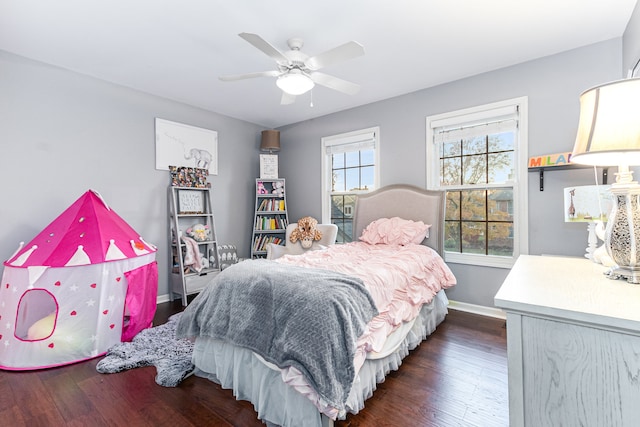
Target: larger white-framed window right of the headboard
<point x="478" y="156"/>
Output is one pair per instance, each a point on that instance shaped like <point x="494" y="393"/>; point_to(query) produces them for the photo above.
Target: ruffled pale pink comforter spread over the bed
<point x="399" y="278"/>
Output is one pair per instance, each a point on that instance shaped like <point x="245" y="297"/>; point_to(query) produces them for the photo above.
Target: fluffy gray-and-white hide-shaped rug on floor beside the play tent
<point x="157" y="347"/>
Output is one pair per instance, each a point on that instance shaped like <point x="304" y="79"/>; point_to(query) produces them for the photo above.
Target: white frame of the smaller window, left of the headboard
<point x="353" y="138"/>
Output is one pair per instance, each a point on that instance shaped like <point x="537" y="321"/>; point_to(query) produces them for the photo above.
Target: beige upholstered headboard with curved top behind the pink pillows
<point x="407" y="202"/>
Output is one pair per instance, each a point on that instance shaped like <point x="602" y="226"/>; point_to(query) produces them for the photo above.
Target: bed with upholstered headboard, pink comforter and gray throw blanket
<point x="313" y="390"/>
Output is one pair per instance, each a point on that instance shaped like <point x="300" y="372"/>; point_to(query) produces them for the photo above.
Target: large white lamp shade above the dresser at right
<point x="609" y="126"/>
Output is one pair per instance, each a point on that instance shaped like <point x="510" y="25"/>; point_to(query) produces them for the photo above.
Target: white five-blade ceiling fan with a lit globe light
<point x="297" y="72"/>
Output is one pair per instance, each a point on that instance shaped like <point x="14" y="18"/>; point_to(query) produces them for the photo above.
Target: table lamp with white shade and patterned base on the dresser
<point x="609" y="135"/>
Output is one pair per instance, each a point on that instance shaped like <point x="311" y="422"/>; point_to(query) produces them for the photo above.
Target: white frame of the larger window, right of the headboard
<point x="519" y="184"/>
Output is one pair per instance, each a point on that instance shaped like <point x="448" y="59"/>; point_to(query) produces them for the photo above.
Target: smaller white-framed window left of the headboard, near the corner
<point x="349" y="167"/>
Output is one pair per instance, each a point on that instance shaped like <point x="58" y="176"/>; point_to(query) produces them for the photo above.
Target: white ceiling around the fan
<point x="178" y="48"/>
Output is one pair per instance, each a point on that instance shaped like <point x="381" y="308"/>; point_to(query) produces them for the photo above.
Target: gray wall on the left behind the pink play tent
<point x="62" y="133"/>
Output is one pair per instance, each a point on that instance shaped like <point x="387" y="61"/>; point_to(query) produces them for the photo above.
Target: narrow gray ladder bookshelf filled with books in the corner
<point x="270" y="216"/>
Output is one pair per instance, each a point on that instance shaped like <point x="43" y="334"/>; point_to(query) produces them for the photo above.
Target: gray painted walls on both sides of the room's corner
<point x="62" y="133"/>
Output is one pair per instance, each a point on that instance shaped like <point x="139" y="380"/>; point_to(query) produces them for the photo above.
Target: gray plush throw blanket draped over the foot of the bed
<point x="291" y="316"/>
